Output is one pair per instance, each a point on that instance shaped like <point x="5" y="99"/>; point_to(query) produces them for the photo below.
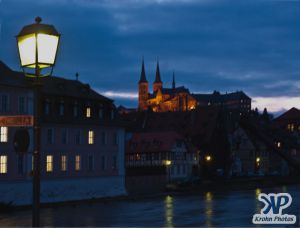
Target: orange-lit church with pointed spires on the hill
<point x="163" y="99"/>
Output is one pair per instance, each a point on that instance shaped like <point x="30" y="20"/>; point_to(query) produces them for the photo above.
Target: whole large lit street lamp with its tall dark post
<point x="37" y="46"/>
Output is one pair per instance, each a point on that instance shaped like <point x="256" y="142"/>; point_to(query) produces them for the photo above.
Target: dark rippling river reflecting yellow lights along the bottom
<point x="207" y="209"/>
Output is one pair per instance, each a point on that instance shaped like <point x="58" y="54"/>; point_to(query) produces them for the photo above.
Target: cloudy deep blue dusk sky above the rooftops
<point x="249" y="45"/>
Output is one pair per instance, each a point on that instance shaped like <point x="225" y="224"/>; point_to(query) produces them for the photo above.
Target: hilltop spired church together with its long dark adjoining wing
<point x="180" y="99"/>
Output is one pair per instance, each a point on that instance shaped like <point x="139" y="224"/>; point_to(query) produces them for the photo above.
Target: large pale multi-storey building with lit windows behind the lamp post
<point x="81" y="141"/>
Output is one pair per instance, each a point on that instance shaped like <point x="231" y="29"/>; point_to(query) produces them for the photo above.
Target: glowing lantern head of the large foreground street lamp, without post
<point x="37" y="45"/>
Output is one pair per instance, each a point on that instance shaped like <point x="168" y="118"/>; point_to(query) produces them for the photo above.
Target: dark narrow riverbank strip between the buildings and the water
<point x="240" y="184"/>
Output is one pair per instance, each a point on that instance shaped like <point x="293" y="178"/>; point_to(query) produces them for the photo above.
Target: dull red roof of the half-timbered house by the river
<point x="152" y="141"/>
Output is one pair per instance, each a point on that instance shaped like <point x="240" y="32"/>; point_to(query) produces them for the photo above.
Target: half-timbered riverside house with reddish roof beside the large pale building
<point x="161" y="149"/>
